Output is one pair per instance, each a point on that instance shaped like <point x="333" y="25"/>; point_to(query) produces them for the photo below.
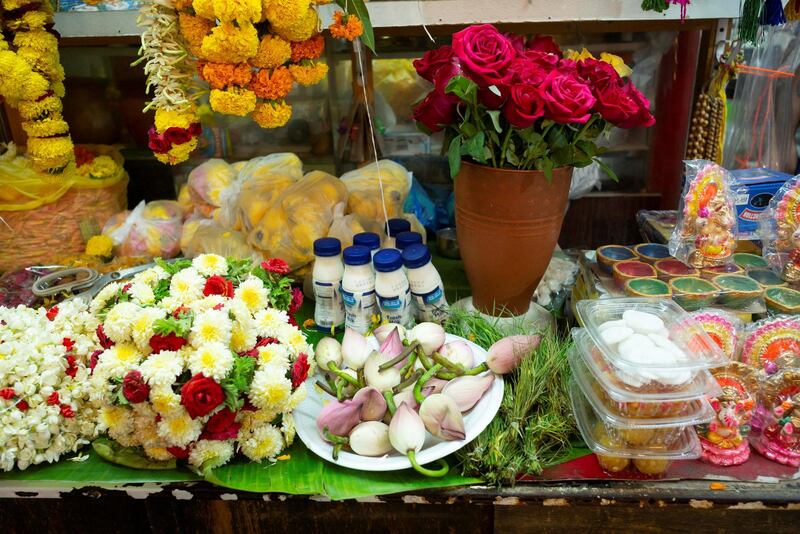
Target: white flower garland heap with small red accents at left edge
<point x="44" y="390"/>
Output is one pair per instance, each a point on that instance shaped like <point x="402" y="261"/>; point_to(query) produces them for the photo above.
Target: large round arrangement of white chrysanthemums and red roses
<point x="201" y="358"/>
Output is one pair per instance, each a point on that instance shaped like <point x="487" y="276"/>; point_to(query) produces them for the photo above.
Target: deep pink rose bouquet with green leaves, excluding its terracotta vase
<point x="511" y="103"/>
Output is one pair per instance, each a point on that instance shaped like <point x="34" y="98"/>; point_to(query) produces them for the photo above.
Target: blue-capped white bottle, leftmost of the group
<point x="327" y="279"/>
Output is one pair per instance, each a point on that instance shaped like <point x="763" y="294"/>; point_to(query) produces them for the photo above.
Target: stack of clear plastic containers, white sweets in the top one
<point x="640" y="382"/>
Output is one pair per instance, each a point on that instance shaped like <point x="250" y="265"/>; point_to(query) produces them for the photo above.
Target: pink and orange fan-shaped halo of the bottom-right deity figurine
<point x="770" y="339"/>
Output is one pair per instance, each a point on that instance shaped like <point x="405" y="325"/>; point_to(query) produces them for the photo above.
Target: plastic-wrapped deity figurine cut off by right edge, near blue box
<point x="780" y="231"/>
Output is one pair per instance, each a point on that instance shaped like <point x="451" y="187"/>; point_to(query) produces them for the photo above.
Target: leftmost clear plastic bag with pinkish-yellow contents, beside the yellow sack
<point x="150" y="230"/>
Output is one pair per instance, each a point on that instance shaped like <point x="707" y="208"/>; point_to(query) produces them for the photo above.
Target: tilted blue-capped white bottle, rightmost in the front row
<point x="427" y="290"/>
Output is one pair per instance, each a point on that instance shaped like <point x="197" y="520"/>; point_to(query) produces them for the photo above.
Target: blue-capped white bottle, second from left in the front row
<point x="358" y="289"/>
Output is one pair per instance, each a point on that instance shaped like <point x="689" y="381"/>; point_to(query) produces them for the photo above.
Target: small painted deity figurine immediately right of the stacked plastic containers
<point x="724" y="439"/>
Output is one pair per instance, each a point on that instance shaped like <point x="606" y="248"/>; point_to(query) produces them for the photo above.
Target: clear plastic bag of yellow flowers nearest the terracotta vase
<point x="364" y="190"/>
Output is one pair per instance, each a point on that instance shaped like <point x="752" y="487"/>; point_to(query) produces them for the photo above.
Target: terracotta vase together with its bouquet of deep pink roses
<point x="518" y="116"/>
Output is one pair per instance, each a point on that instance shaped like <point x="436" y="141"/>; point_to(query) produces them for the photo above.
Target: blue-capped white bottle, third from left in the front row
<point x="391" y="288"/>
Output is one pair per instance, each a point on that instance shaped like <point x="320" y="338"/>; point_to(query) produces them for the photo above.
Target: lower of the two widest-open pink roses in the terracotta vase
<point x="567" y="99"/>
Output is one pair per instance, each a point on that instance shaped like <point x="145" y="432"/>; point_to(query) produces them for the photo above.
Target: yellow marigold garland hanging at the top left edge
<point x="33" y="82"/>
